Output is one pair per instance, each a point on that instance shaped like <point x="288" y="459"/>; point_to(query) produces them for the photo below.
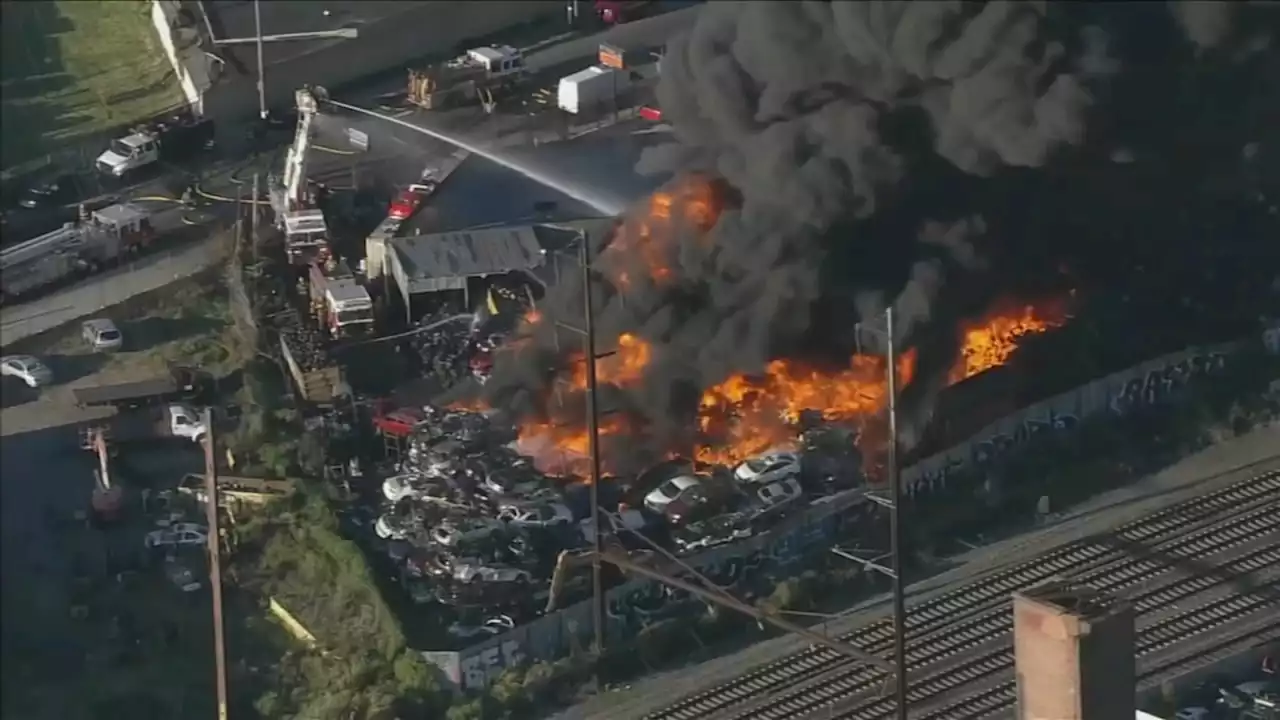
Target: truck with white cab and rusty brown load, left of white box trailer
<point x="479" y="75"/>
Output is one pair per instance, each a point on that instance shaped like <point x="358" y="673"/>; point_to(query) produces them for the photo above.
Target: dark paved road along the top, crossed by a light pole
<point x="432" y="29"/>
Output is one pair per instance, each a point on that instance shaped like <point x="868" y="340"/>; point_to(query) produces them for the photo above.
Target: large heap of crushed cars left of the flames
<point x="470" y="523"/>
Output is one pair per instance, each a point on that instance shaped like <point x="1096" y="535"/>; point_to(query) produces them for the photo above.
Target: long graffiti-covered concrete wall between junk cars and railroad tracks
<point x="788" y="546"/>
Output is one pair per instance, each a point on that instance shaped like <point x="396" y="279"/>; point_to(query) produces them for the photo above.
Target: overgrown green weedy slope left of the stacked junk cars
<point x="362" y="668"/>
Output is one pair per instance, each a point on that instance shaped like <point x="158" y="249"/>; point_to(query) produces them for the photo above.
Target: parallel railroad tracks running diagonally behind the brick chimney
<point x="963" y="622"/>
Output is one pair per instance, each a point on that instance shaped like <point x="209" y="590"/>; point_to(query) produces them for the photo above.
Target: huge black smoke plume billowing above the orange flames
<point x="885" y="154"/>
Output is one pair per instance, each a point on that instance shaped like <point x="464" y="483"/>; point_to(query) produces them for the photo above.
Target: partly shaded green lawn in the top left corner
<point x="74" y="69"/>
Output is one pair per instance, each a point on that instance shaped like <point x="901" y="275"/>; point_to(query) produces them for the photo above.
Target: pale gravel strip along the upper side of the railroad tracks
<point x="1210" y="470"/>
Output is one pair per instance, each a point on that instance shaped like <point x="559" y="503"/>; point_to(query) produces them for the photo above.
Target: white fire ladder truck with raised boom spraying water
<point x="307" y="235"/>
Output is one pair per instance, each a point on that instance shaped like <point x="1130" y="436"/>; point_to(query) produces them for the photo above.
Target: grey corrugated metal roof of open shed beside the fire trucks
<point x="429" y="262"/>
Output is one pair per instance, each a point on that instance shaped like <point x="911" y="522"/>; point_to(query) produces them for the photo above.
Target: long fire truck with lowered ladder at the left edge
<point x="92" y="243"/>
